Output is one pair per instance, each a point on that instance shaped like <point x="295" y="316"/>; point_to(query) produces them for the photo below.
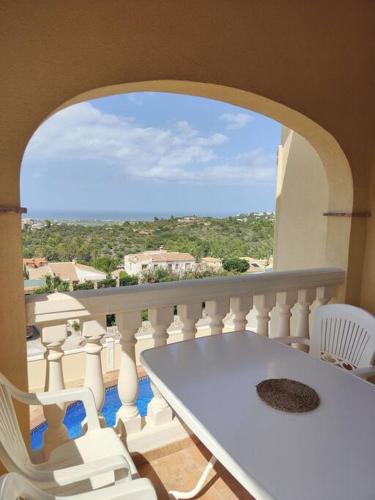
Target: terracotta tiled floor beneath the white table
<point x="180" y="470"/>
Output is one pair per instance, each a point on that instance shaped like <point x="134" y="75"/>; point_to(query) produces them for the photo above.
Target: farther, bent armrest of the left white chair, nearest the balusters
<point x="83" y="394"/>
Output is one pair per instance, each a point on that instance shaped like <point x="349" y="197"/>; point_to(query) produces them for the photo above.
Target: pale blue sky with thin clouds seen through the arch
<point x="152" y="152"/>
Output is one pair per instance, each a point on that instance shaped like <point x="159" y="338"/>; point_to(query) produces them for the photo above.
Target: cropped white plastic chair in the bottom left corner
<point x="13" y="486"/>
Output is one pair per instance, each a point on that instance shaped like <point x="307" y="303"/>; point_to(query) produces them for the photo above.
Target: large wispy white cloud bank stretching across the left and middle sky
<point x="180" y="153"/>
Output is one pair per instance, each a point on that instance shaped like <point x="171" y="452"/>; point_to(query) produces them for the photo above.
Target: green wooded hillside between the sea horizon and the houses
<point x="104" y="245"/>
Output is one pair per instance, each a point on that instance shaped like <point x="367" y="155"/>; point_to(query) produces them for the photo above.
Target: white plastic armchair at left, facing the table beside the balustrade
<point x="94" y="460"/>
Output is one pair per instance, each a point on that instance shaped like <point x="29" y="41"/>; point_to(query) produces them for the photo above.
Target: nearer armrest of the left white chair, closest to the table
<point x="87" y="470"/>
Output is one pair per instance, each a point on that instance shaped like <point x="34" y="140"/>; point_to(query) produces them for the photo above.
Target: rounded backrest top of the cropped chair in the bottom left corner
<point x="14" y="486"/>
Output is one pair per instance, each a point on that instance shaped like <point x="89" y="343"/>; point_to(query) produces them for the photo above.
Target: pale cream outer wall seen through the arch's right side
<point x="301" y="200"/>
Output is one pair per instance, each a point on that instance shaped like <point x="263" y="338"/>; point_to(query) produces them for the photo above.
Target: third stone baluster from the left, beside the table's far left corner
<point x="128" y="419"/>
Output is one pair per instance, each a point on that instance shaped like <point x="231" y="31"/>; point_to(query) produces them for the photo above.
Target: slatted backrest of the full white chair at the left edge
<point x="13" y="451"/>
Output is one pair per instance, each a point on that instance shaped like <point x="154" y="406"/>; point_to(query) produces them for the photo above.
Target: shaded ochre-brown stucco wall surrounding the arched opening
<point x="306" y="64"/>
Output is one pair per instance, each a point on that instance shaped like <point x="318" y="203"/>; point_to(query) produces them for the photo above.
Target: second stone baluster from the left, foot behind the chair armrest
<point x="93" y="330"/>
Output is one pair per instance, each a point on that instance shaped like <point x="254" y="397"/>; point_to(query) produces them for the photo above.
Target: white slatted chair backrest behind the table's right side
<point x="343" y="335"/>
